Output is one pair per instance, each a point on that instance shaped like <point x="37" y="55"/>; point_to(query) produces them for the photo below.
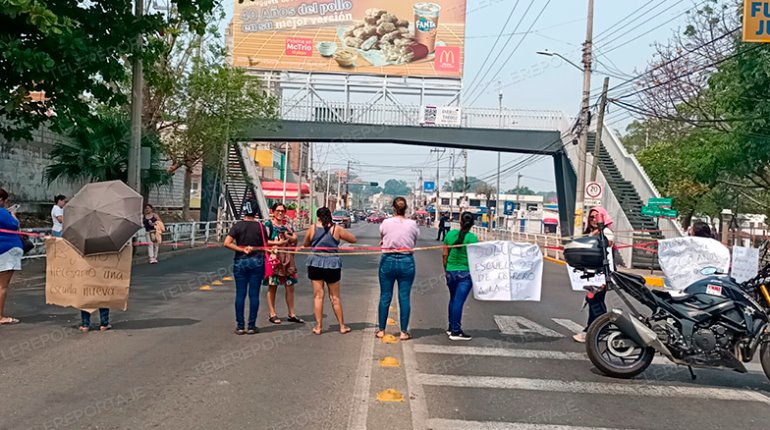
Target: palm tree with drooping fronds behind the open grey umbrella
<point x="98" y="151"/>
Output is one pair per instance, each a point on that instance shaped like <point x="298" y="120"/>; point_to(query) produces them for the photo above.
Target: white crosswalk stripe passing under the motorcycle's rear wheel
<point x="536" y="354"/>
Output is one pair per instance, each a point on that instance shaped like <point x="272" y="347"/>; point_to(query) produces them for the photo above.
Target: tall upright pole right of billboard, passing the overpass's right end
<point x="583" y="142"/>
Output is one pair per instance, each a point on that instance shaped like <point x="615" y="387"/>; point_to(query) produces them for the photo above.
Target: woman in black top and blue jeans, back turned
<point x="248" y="238"/>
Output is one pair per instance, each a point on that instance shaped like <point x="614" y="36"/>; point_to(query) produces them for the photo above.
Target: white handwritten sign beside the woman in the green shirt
<point x="506" y="271"/>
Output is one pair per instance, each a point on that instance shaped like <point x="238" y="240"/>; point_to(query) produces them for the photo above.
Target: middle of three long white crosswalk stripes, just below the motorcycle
<point x="614" y="389"/>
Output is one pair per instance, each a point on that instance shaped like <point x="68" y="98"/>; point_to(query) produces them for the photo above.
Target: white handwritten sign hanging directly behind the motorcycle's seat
<point x="682" y="259"/>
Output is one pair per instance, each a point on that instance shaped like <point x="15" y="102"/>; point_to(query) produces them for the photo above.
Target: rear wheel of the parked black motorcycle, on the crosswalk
<point x="613" y="353"/>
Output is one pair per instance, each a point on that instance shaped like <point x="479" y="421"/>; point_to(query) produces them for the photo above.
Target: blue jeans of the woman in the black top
<point x="248" y="274"/>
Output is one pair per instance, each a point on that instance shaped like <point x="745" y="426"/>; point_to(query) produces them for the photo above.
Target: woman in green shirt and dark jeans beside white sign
<point x="458" y="275"/>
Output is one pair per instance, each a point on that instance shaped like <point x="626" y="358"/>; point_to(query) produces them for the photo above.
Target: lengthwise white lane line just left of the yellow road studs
<point x="360" y="410"/>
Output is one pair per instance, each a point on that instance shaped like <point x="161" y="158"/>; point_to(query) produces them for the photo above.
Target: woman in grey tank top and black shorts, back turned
<point x="325" y="265"/>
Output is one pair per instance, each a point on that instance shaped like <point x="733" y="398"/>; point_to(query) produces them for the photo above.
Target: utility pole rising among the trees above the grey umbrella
<point x="137" y="90"/>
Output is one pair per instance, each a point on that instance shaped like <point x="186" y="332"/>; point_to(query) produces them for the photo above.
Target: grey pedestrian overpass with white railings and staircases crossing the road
<point x="546" y="133"/>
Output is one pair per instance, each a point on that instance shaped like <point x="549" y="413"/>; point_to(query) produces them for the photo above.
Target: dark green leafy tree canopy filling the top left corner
<point x="76" y="55"/>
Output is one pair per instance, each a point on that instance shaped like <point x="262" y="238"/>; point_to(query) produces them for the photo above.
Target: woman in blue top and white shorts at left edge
<point x="11" y="252"/>
